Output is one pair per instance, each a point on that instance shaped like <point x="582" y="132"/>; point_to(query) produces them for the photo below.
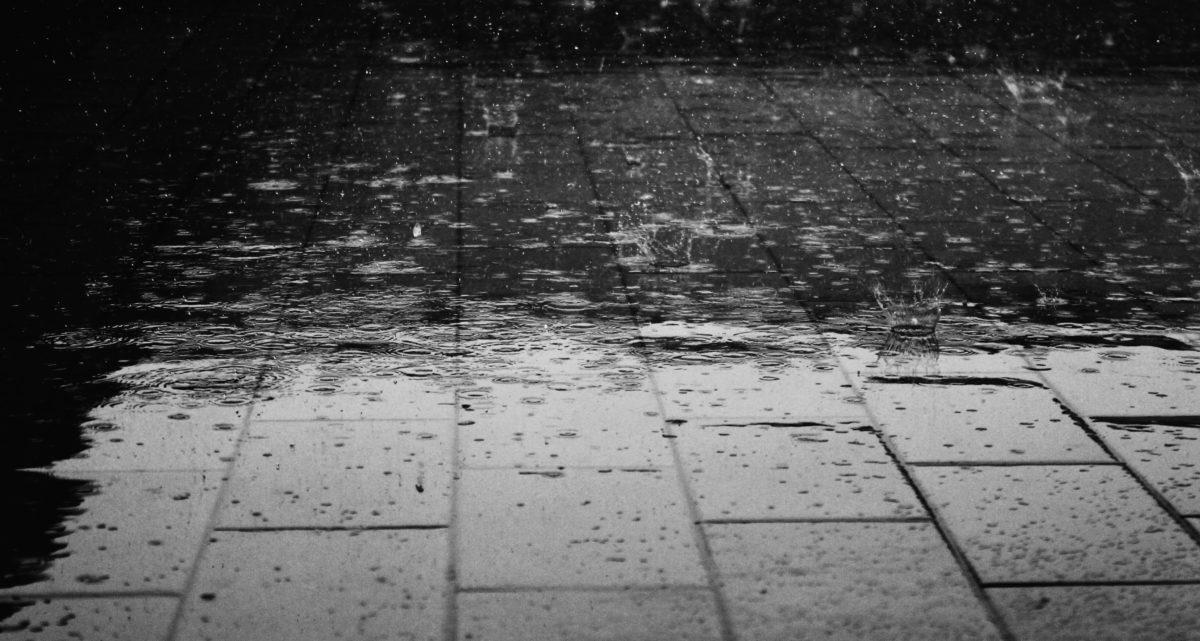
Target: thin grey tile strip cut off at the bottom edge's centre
<point x="597" y="616"/>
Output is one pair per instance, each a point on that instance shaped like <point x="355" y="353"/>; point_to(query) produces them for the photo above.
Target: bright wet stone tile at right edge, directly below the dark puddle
<point x="1127" y="381"/>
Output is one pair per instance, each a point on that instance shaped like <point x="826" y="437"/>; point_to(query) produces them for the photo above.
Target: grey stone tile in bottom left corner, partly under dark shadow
<point x="137" y="619"/>
